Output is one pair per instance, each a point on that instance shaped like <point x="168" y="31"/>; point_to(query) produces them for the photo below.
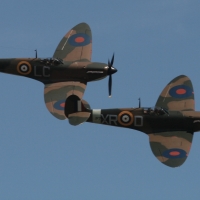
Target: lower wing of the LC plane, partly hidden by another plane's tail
<point x="56" y="94"/>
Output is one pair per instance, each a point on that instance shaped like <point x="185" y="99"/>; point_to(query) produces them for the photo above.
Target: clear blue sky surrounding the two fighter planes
<point x="44" y="158"/>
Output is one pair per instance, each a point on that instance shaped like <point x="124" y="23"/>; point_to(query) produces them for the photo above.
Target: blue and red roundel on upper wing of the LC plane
<point x="79" y="40"/>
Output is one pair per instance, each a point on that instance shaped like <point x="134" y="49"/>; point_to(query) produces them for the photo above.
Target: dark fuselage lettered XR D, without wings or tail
<point x="147" y="121"/>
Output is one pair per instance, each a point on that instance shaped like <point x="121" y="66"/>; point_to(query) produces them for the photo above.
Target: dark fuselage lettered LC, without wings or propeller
<point x="52" y="70"/>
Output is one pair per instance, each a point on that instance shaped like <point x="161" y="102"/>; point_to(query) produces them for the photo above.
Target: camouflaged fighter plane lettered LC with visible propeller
<point x="67" y="72"/>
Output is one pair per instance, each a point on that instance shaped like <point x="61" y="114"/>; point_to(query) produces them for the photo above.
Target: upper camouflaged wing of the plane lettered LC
<point x="76" y="44"/>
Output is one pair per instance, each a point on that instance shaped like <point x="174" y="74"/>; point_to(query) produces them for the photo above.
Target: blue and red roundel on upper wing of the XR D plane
<point x="181" y="91"/>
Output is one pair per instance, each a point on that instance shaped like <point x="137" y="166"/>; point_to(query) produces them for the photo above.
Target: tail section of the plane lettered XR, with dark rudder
<point x="77" y="111"/>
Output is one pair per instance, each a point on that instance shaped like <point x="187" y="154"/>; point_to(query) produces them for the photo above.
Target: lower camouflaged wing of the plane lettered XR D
<point x="171" y="148"/>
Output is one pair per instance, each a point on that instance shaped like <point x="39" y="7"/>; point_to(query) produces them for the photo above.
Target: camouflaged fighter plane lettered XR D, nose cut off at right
<point x="170" y="125"/>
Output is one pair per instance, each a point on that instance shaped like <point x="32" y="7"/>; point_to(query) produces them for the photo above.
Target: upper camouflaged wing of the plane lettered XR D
<point x="177" y="95"/>
